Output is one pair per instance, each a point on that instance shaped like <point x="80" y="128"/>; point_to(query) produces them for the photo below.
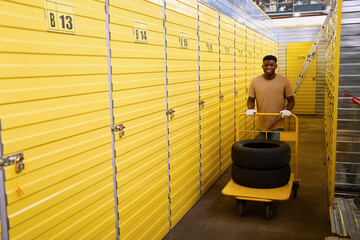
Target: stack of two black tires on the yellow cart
<point x="260" y="163"/>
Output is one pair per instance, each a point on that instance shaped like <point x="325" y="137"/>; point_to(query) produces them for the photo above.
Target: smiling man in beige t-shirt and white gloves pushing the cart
<point x="271" y="90"/>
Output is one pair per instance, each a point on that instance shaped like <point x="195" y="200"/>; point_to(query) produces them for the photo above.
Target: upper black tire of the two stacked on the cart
<point x="260" y="154"/>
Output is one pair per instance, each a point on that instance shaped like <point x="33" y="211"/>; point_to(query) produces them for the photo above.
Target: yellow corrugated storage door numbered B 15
<point x="183" y="98"/>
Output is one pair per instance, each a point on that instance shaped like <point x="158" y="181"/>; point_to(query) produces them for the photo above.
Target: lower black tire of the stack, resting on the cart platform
<point x="261" y="178"/>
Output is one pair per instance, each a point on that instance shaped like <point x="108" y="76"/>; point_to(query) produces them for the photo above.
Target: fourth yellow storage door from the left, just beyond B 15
<point x="209" y="96"/>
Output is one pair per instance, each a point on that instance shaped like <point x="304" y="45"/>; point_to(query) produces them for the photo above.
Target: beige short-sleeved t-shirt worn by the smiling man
<point x="270" y="97"/>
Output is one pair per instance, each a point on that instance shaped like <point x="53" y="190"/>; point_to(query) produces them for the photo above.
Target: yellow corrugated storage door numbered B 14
<point x="137" y="60"/>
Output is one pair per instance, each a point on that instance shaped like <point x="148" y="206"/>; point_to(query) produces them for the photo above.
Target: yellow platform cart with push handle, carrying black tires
<point x="247" y="130"/>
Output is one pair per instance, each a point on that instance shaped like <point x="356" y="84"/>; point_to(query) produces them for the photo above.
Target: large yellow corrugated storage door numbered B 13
<point x="55" y="112"/>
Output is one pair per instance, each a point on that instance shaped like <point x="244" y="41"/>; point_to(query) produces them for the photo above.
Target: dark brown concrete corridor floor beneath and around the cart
<point x="216" y="216"/>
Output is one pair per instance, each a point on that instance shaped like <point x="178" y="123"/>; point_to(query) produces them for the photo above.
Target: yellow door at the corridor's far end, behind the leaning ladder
<point x="295" y="58"/>
